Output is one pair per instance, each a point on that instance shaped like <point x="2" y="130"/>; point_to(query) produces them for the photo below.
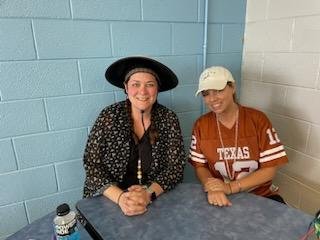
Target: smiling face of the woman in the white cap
<point x="219" y="101"/>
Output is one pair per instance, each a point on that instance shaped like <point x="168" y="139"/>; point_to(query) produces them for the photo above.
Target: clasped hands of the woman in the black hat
<point x="134" y="201"/>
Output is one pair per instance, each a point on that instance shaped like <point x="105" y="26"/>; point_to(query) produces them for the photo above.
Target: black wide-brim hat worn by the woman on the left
<point x="117" y="71"/>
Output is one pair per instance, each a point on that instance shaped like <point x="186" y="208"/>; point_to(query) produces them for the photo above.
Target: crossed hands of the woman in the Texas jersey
<point x="217" y="192"/>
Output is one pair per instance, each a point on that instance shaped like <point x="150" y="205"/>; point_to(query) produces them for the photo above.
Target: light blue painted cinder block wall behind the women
<point x="53" y="55"/>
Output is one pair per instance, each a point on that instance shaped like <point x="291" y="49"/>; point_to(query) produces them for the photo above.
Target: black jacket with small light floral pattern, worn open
<point x="108" y="149"/>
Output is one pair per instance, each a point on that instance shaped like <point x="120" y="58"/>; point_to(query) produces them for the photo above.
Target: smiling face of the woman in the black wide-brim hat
<point x="142" y="90"/>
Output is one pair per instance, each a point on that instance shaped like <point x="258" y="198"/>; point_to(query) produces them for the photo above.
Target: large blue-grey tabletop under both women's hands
<point x="184" y="213"/>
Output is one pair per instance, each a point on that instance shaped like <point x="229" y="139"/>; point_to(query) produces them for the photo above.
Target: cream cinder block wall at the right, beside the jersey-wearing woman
<point x="280" y="75"/>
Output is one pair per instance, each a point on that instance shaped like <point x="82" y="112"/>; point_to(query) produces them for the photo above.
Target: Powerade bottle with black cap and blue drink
<point x="65" y="224"/>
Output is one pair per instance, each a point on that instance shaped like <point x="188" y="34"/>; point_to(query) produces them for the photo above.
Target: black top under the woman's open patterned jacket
<point x="142" y="150"/>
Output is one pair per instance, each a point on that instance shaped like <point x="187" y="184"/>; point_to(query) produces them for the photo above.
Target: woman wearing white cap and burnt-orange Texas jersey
<point x="234" y="148"/>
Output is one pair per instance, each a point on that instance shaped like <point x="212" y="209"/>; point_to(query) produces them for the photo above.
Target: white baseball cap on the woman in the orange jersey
<point x="215" y="77"/>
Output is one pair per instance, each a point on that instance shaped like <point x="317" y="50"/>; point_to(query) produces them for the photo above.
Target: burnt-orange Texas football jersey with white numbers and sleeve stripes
<point x="258" y="146"/>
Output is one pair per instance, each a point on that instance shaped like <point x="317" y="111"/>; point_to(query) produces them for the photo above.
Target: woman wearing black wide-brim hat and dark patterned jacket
<point x="135" y="149"/>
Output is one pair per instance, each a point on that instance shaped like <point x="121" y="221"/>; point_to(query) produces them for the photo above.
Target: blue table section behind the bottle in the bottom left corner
<point x="42" y="229"/>
